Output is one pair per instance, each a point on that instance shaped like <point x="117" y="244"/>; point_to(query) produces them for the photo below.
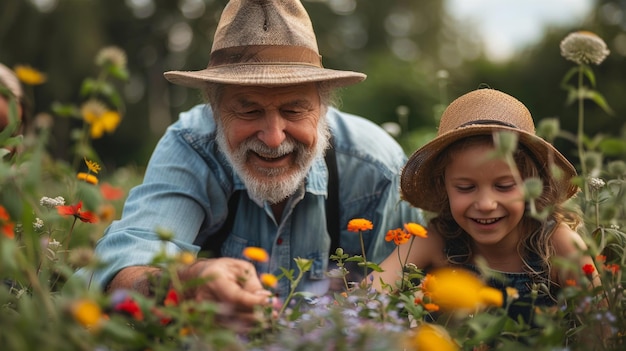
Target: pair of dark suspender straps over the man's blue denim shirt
<point x="213" y="244"/>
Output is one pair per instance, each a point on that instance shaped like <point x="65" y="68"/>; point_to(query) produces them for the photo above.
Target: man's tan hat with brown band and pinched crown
<point x="266" y="43"/>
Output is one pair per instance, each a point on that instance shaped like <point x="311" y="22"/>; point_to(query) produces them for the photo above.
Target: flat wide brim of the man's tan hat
<point x="264" y="75"/>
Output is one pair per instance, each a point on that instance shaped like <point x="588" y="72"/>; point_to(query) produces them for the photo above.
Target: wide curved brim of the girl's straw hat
<point x="418" y="186"/>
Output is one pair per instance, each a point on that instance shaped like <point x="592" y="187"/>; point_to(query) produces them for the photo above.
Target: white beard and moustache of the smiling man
<point x="277" y="184"/>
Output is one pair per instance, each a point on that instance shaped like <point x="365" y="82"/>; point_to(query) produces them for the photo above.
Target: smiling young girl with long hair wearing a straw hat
<point x="481" y="214"/>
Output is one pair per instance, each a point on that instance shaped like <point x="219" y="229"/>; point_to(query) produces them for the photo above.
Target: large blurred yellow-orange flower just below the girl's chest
<point x="443" y="289"/>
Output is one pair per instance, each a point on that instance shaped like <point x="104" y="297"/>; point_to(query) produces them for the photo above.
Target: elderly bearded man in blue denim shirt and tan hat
<point x="248" y="169"/>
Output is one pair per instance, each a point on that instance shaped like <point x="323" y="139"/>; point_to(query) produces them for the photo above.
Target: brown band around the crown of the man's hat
<point x="265" y="54"/>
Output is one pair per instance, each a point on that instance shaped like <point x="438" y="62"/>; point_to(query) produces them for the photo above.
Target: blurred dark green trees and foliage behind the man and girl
<point x="417" y="57"/>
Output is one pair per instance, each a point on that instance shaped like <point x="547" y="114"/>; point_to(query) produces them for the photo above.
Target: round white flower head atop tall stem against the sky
<point x="584" y="47"/>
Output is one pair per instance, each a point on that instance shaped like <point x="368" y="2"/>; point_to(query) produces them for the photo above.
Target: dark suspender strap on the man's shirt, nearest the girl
<point x="332" y="201"/>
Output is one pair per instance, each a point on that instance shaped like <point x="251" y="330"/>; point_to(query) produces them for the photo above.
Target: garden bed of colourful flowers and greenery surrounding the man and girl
<point x="52" y="212"/>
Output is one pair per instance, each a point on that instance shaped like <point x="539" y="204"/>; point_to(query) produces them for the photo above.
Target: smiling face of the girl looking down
<point x="484" y="198"/>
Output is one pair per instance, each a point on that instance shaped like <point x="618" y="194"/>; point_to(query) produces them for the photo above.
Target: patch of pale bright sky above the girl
<point x="506" y="25"/>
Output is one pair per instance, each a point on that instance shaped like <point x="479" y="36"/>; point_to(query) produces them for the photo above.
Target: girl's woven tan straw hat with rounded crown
<point x="480" y="112"/>
